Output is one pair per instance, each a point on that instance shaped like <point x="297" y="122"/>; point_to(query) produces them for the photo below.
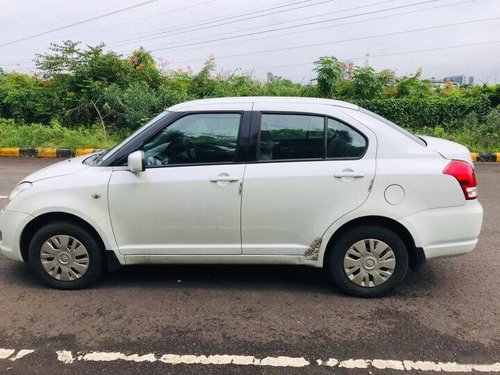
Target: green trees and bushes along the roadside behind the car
<point x="88" y="96"/>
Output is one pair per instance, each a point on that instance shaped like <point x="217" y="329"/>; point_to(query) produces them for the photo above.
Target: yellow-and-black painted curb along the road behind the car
<point x="53" y="152"/>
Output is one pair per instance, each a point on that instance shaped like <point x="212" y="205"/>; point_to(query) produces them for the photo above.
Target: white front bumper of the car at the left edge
<point x="11" y="226"/>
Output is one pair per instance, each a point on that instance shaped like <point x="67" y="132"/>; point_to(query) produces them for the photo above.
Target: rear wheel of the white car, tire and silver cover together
<point x="368" y="261"/>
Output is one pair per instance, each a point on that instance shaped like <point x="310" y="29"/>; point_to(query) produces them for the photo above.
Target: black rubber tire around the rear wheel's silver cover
<point x="338" y="252"/>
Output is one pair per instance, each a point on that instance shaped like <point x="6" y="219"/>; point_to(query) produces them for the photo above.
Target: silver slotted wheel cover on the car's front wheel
<point x="64" y="258"/>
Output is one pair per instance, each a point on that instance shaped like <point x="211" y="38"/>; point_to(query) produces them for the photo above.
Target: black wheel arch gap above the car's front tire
<point x="37" y="222"/>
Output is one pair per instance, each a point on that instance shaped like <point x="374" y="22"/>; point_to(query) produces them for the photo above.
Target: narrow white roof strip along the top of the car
<point x="186" y="106"/>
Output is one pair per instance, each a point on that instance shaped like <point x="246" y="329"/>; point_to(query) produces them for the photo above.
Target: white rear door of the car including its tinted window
<point x="312" y="167"/>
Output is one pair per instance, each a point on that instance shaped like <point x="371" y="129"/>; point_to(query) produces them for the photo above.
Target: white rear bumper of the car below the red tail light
<point x="446" y="232"/>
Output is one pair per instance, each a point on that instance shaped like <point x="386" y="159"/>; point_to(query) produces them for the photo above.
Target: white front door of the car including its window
<point x="187" y="201"/>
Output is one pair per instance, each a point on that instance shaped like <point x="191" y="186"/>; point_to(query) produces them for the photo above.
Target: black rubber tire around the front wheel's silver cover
<point x="96" y="261"/>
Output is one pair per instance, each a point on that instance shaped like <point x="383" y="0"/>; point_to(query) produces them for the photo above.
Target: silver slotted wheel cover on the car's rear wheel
<point x="369" y="263"/>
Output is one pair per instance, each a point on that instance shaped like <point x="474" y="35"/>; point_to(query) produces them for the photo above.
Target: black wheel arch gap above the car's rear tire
<point x="415" y="254"/>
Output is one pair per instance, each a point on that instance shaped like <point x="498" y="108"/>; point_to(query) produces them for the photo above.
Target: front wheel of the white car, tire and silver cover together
<point x="66" y="256"/>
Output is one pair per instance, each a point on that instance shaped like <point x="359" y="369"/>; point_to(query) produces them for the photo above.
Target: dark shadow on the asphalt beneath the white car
<point x="225" y="277"/>
